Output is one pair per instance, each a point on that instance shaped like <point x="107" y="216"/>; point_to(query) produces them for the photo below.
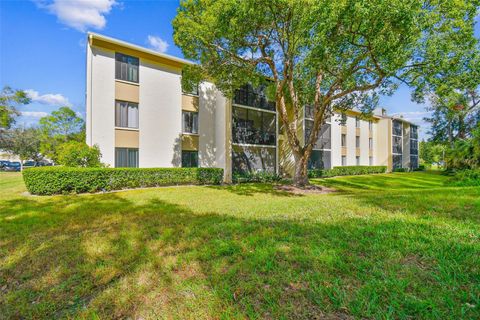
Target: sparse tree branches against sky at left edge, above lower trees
<point x="9" y="100"/>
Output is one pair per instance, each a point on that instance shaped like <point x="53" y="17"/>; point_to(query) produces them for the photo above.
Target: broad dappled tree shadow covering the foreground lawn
<point x="109" y="256"/>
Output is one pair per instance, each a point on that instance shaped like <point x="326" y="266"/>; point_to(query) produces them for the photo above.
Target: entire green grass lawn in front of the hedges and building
<point x="390" y="246"/>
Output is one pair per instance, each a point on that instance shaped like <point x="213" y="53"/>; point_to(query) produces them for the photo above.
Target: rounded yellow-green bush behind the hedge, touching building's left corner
<point x="78" y="154"/>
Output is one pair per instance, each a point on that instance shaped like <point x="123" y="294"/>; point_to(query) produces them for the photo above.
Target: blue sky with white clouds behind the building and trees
<point x="42" y="48"/>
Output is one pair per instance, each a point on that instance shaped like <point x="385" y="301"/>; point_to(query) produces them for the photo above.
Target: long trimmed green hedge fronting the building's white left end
<point x="64" y="180"/>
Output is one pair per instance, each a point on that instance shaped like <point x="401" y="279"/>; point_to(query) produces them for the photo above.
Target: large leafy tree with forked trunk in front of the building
<point x="322" y="53"/>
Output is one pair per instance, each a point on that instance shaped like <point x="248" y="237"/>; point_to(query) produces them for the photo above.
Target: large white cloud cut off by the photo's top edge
<point x="79" y="14"/>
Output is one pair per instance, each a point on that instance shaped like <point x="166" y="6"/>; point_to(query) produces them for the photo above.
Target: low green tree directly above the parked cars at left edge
<point x="23" y="142"/>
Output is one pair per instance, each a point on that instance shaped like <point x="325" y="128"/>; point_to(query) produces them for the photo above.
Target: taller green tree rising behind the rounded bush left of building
<point x="61" y="126"/>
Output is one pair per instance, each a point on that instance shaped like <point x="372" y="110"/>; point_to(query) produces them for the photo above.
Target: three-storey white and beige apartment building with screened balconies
<point x="139" y="116"/>
